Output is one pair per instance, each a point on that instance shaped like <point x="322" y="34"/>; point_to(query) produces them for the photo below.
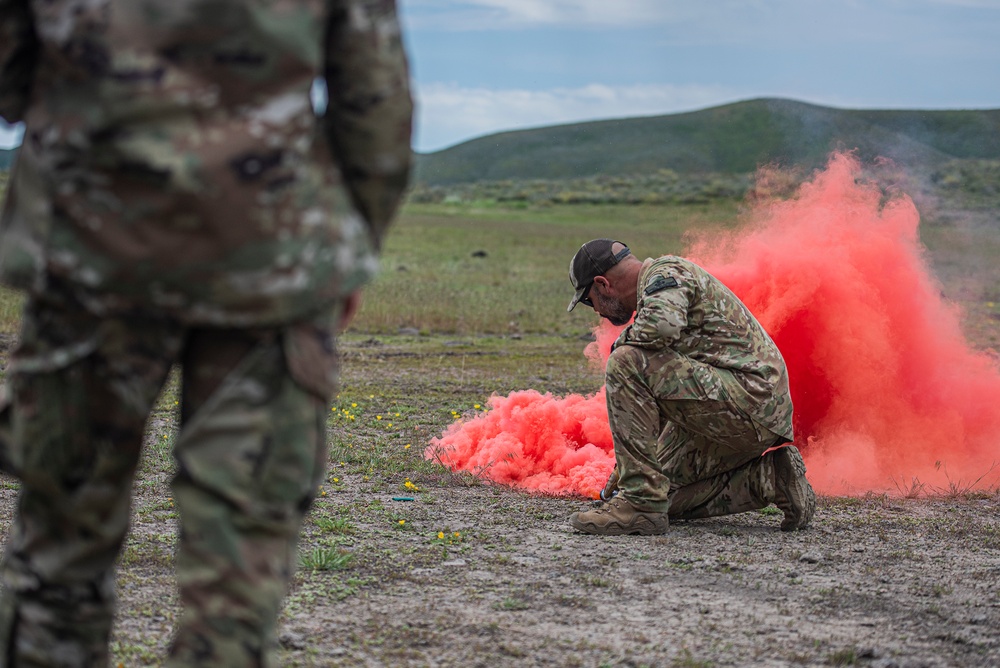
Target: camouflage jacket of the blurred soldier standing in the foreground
<point x="172" y="161"/>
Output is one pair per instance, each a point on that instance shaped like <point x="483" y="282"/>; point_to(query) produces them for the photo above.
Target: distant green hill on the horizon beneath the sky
<point x="734" y="138"/>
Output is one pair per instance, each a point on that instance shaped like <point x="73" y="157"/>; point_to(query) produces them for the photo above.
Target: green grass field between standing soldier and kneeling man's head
<point x="433" y="281"/>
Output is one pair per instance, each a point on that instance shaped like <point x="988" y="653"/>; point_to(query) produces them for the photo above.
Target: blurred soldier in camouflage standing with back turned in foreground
<point x="177" y="200"/>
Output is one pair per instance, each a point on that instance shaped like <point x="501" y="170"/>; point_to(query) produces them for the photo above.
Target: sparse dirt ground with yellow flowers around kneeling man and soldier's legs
<point x="470" y="574"/>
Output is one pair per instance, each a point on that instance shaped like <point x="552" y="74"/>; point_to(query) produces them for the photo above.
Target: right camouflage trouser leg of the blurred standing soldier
<point x="251" y="454"/>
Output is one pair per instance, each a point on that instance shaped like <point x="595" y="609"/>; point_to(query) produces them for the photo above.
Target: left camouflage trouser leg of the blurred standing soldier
<point x="80" y="389"/>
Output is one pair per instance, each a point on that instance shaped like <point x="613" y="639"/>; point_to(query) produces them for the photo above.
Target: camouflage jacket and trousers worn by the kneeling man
<point x="697" y="391"/>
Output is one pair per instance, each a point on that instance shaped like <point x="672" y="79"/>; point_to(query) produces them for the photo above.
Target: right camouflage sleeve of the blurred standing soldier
<point x="369" y="113"/>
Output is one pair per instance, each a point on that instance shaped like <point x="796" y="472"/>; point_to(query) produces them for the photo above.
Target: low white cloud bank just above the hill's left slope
<point x="448" y="114"/>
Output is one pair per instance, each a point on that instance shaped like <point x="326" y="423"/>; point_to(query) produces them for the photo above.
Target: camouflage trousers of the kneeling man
<point x="678" y="448"/>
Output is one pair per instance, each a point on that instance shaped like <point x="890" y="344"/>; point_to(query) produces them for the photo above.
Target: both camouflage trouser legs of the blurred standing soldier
<point x="250" y="455"/>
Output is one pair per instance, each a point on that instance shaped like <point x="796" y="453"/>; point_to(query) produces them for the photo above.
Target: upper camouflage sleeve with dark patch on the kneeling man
<point x="662" y="315"/>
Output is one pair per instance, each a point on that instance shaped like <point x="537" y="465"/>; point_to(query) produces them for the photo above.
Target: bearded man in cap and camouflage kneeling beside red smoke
<point x="697" y="392"/>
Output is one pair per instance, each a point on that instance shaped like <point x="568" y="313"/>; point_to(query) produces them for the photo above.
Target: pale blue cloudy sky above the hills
<point x="482" y="66"/>
